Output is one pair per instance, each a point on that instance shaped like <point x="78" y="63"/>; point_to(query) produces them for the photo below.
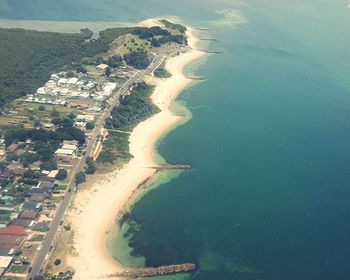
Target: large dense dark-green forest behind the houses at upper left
<point x="28" y="57"/>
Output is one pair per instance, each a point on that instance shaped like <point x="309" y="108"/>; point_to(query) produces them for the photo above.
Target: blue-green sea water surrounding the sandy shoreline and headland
<point x="269" y="141"/>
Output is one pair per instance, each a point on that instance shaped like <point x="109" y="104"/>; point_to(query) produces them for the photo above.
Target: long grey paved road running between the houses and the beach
<point x="62" y="208"/>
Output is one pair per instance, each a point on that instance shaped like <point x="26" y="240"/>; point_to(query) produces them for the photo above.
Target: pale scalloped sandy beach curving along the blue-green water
<point x="95" y="208"/>
